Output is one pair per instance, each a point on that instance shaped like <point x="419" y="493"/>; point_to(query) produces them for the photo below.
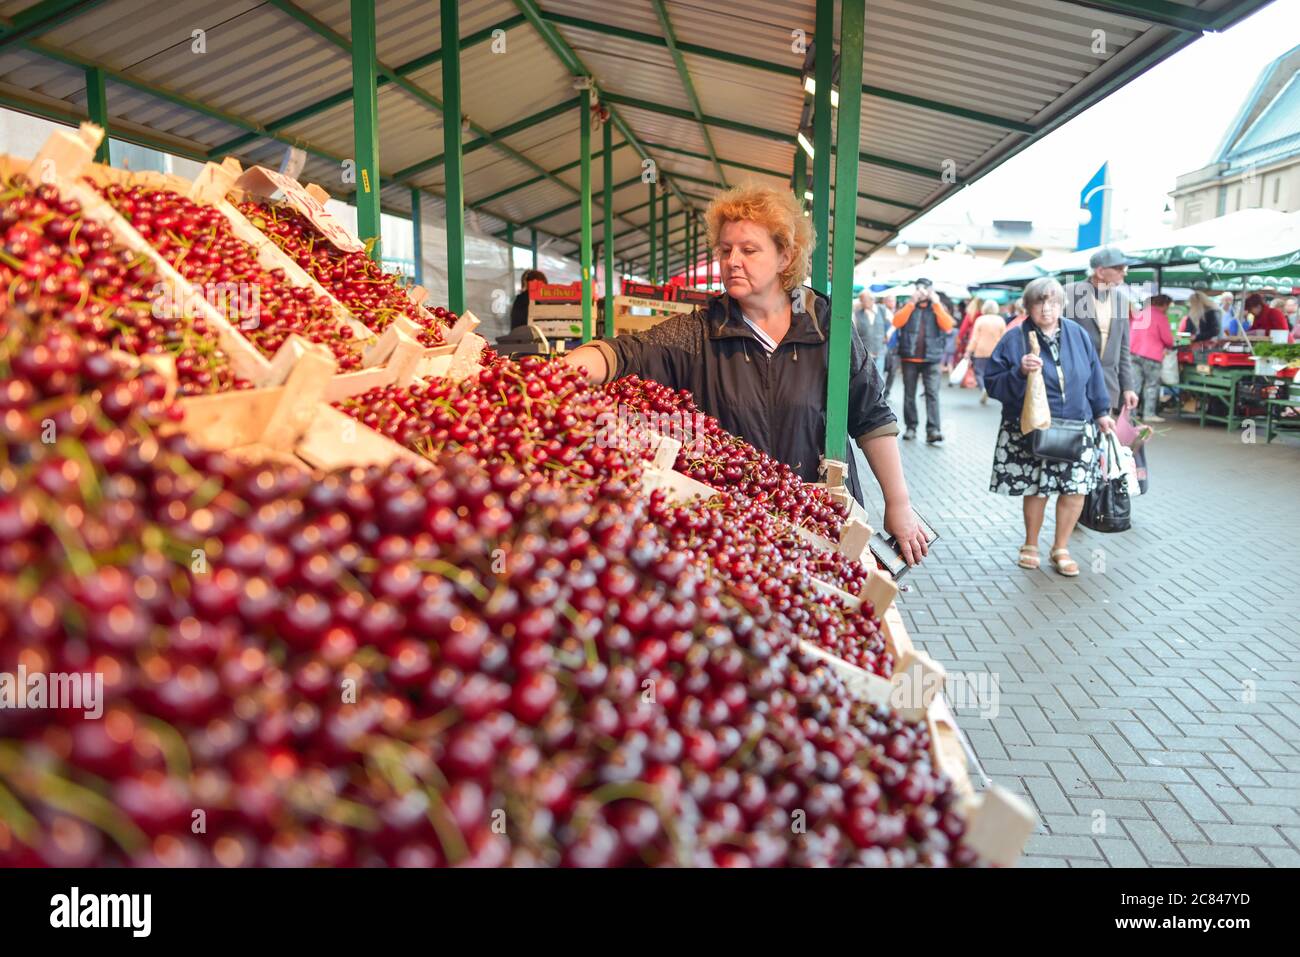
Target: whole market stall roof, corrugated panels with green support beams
<point x="710" y="97"/>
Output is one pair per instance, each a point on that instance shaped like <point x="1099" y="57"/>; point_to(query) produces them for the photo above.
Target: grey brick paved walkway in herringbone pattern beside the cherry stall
<point x="1151" y="708"/>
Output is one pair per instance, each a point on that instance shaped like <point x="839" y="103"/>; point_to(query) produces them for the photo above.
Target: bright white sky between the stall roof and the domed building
<point x="1167" y="123"/>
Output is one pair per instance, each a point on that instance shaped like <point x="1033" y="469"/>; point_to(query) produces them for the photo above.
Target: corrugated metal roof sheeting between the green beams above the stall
<point x="1028" y="62"/>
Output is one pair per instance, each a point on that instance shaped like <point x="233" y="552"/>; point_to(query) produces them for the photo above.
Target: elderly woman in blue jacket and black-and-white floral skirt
<point x="1077" y="389"/>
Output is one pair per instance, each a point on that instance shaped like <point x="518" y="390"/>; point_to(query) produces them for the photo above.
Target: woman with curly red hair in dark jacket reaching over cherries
<point x="756" y="357"/>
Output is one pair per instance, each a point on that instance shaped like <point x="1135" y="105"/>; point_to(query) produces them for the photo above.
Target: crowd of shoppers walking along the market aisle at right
<point x="1104" y="352"/>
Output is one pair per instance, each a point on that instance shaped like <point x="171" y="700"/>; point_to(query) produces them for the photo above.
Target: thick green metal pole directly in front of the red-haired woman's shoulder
<point x="848" y="131"/>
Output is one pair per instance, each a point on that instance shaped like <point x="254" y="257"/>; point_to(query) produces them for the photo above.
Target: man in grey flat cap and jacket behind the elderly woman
<point x="1102" y="306"/>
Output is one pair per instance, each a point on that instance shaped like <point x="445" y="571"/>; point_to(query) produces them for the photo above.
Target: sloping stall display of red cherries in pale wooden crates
<point x="489" y="616"/>
